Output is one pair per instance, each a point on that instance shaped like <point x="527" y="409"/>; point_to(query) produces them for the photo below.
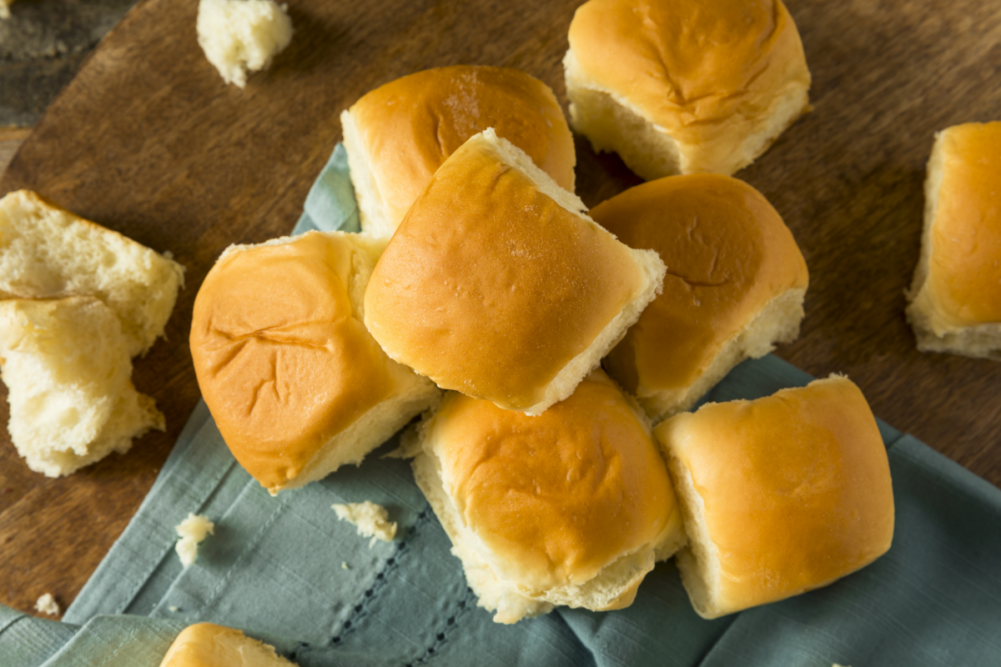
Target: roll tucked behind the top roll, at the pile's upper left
<point x="400" y="135"/>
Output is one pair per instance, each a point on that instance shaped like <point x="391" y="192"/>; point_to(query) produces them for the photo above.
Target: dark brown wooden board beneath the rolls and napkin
<point x="150" y="142"/>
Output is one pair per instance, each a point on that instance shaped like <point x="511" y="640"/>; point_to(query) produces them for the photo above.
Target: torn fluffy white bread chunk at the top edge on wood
<point x="239" y="37"/>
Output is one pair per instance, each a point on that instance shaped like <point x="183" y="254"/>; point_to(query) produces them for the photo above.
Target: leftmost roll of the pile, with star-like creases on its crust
<point x="296" y="384"/>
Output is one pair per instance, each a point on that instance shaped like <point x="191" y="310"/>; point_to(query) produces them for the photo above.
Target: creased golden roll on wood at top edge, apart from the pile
<point x="685" y="87"/>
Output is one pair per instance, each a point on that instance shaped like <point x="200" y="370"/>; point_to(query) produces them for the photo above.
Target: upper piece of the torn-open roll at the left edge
<point x="48" y="252"/>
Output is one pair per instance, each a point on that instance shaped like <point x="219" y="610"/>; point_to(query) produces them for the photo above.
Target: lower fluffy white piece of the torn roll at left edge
<point x="69" y="373"/>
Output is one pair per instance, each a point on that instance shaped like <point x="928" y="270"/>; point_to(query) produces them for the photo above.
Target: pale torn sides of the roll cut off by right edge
<point x="932" y="329"/>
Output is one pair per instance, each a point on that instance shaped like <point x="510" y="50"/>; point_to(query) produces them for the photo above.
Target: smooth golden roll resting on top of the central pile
<point x="495" y="286"/>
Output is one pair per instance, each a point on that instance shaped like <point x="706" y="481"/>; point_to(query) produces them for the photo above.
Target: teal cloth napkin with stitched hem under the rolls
<point x="288" y="571"/>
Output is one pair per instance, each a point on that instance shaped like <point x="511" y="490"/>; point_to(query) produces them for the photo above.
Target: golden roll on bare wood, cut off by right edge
<point x="956" y="303"/>
